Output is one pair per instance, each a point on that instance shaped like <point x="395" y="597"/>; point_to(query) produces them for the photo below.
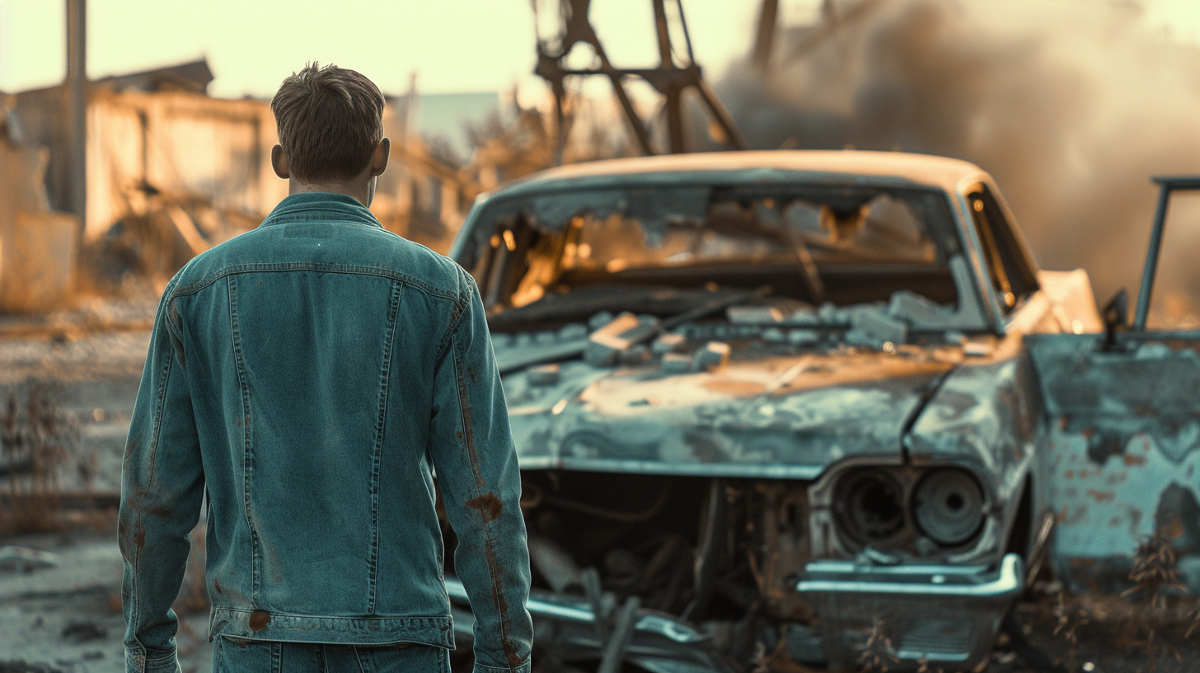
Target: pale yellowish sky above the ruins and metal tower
<point x="452" y="45"/>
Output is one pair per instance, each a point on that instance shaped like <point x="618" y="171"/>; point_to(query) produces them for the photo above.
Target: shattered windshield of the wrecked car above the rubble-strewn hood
<point x="569" y="251"/>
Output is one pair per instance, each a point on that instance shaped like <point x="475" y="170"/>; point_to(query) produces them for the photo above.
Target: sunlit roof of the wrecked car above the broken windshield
<point x="821" y="165"/>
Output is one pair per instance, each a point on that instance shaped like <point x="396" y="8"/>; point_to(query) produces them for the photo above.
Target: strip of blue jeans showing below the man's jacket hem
<point x="236" y="656"/>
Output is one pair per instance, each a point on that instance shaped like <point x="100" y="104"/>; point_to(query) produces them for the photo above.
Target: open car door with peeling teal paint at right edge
<point x="1124" y="447"/>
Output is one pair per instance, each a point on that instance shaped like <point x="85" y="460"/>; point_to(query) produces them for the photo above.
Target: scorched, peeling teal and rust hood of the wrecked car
<point x="769" y="416"/>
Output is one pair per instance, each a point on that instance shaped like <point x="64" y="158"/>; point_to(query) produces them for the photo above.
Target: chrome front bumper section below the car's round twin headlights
<point x="902" y="615"/>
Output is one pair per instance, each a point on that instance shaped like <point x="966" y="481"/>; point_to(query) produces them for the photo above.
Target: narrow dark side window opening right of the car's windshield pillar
<point x="1011" y="277"/>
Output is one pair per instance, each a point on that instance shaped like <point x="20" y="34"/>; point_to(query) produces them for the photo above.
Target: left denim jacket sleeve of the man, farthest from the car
<point x="163" y="486"/>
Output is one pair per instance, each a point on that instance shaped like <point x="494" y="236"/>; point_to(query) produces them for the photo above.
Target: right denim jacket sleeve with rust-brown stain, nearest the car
<point x="472" y="448"/>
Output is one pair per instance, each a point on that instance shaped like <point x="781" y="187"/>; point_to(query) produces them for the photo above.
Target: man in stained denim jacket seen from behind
<point x="307" y="378"/>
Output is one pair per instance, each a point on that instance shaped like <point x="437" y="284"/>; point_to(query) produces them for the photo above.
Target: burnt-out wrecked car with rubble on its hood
<point x="771" y="408"/>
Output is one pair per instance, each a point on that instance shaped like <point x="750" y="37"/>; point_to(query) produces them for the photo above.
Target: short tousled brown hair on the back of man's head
<point x="329" y="122"/>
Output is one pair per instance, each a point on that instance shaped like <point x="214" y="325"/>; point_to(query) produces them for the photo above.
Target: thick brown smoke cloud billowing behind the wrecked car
<point x="1072" y="106"/>
